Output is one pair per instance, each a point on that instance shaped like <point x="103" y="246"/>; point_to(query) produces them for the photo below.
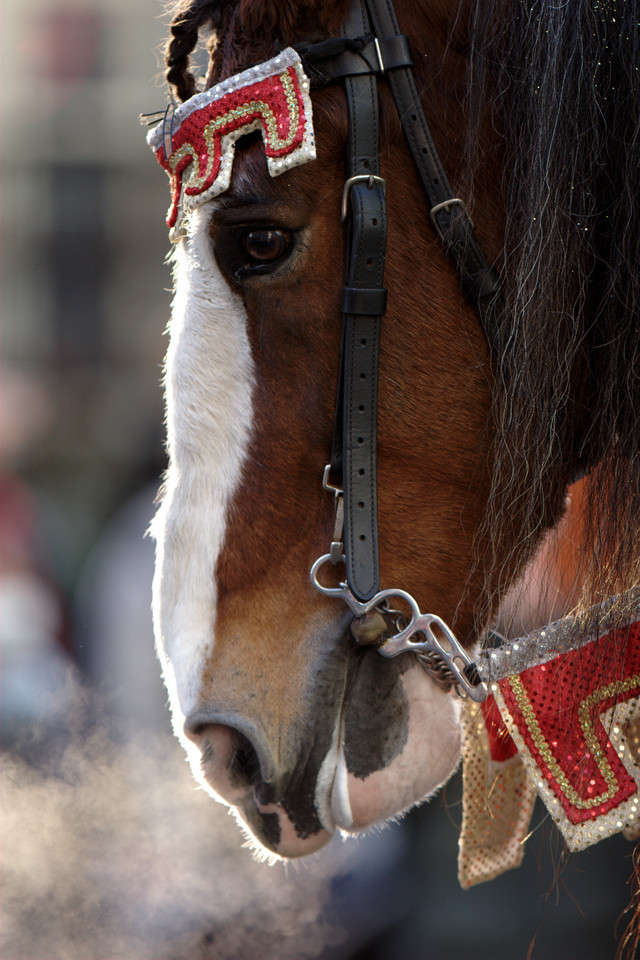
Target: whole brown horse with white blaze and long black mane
<point x="487" y="405"/>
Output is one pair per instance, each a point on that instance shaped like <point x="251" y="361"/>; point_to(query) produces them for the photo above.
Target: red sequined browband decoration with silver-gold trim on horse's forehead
<point x="196" y="143"/>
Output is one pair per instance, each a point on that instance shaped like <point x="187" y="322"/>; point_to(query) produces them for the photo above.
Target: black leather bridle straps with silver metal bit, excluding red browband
<point x="371" y="48"/>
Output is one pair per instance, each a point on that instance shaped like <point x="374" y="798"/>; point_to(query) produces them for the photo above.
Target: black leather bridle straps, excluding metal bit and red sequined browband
<point x="360" y="58"/>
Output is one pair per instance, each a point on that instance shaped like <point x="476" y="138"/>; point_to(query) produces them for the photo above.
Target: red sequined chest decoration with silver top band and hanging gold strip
<point x="562" y="719"/>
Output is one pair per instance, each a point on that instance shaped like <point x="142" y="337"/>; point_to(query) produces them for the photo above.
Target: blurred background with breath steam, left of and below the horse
<point x="108" y="849"/>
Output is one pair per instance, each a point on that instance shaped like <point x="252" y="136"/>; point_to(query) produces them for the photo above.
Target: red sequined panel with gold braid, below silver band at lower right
<point x="575" y="734"/>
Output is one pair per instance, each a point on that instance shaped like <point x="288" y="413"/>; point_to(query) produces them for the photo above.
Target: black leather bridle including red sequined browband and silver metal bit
<point x="370" y="48"/>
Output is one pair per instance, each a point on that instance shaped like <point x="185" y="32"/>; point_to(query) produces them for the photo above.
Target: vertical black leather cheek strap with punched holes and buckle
<point x="364" y="301"/>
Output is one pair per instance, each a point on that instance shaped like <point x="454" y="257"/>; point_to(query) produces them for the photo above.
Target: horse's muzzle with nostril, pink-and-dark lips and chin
<point x="388" y="740"/>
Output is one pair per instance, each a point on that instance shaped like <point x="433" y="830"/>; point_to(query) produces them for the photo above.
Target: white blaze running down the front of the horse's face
<point x="209" y="381"/>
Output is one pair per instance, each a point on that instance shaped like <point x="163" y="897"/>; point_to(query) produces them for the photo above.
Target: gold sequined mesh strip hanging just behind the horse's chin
<point x="497" y="804"/>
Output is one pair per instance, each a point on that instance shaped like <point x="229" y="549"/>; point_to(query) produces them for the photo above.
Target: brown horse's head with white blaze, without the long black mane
<point x="284" y="716"/>
